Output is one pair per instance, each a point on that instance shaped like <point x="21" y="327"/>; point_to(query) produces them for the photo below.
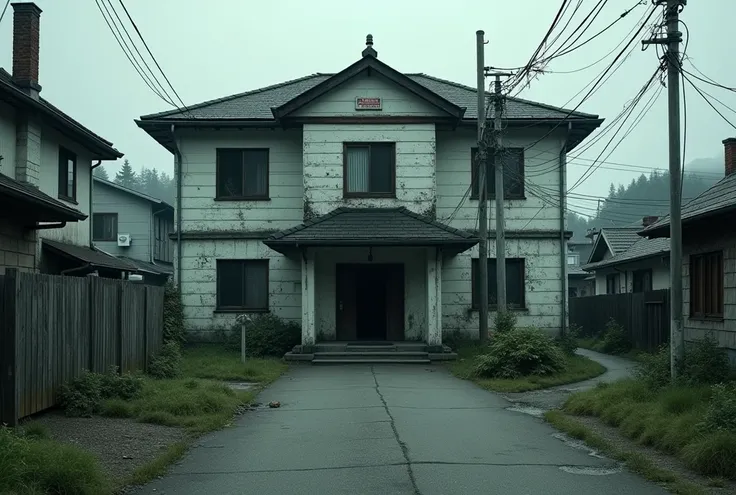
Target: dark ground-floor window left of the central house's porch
<point x="242" y="285"/>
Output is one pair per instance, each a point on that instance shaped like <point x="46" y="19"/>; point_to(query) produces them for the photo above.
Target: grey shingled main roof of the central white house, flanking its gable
<point x="257" y="104"/>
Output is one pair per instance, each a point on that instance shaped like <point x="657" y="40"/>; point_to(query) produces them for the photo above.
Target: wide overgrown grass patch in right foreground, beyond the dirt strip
<point x="669" y="419"/>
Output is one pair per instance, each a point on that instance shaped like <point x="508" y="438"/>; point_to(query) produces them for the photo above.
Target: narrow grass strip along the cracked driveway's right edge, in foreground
<point x="634" y="461"/>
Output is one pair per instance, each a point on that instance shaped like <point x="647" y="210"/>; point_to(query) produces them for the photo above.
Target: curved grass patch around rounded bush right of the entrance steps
<point x="578" y="368"/>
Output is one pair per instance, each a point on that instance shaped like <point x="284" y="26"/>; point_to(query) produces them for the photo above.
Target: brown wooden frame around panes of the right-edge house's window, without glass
<point x="698" y="288"/>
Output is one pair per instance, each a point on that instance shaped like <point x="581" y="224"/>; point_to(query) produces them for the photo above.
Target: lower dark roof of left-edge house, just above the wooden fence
<point x="24" y="198"/>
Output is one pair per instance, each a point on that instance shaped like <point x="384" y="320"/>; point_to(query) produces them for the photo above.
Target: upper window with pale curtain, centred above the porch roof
<point x="369" y="170"/>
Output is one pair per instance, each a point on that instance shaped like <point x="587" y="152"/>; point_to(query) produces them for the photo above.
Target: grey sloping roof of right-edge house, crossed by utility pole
<point x="720" y="198"/>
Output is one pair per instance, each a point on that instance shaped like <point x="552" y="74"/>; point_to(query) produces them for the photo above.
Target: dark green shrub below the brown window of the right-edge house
<point x="705" y="363"/>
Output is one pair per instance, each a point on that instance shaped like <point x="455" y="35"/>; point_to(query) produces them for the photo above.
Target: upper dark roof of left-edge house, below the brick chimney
<point x="100" y="148"/>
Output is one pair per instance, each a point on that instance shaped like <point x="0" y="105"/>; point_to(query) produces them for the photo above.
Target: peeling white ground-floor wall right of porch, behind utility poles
<point x="543" y="287"/>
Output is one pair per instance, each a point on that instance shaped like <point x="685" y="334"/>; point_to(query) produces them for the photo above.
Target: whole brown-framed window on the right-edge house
<point x="706" y="285"/>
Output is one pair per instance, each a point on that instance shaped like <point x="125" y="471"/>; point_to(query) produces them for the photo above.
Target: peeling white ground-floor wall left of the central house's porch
<point x="199" y="283"/>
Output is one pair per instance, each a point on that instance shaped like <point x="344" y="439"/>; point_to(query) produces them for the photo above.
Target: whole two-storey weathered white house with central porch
<point x="344" y="202"/>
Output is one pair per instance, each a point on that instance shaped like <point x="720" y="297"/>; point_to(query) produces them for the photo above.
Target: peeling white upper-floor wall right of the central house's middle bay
<point x="541" y="169"/>
